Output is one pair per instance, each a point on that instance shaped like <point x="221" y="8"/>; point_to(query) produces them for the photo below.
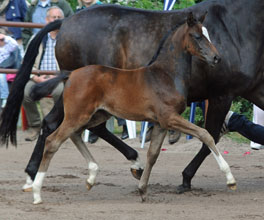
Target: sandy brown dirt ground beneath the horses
<point x="115" y="194"/>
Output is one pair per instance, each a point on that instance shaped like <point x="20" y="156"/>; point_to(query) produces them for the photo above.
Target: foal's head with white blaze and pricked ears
<point x="197" y="41"/>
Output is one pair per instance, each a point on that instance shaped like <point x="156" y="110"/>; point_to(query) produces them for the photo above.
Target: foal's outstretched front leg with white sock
<point x="177" y="122"/>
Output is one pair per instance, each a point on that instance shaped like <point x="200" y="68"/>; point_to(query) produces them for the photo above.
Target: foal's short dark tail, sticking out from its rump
<point x="43" y="89"/>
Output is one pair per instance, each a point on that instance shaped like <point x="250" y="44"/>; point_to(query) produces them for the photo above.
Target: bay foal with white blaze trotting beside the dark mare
<point x="154" y="93"/>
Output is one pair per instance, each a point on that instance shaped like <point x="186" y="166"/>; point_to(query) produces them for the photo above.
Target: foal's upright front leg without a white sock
<point x="157" y="138"/>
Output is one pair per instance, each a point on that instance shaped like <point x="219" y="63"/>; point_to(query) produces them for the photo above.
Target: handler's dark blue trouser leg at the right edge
<point x="247" y="128"/>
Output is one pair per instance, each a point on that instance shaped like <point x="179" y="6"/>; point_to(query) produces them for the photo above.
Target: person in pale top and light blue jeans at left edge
<point x="8" y="46"/>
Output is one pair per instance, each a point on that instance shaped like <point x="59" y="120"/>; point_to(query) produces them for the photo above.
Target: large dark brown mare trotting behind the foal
<point x="127" y="38"/>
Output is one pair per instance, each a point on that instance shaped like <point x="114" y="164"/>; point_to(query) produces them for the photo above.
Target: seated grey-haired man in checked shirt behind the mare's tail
<point x="45" y="61"/>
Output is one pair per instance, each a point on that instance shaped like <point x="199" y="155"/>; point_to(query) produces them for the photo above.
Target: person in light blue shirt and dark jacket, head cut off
<point x="37" y="14"/>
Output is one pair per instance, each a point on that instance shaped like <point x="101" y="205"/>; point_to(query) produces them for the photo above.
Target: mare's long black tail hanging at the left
<point x="9" y="116"/>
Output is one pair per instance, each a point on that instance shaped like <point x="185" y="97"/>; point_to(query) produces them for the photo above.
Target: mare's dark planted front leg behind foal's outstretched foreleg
<point x="217" y="111"/>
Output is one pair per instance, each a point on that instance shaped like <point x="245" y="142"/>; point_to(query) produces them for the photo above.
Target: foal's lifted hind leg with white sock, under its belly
<point x="92" y="165"/>
